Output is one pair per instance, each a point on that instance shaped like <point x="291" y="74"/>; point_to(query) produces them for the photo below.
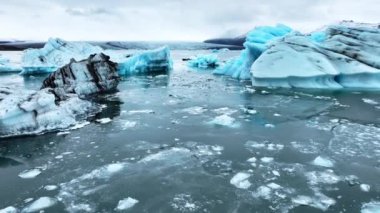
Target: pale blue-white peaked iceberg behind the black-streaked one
<point x="55" y="54"/>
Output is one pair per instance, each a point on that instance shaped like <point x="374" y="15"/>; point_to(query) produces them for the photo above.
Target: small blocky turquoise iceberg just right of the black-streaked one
<point x="155" y="61"/>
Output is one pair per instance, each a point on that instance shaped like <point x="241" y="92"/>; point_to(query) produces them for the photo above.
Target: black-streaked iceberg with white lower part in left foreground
<point x="59" y="104"/>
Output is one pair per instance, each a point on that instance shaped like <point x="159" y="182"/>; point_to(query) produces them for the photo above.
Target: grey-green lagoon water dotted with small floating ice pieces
<point x="194" y="142"/>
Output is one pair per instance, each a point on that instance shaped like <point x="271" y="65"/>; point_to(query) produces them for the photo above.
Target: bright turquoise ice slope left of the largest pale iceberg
<point x="256" y="42"/>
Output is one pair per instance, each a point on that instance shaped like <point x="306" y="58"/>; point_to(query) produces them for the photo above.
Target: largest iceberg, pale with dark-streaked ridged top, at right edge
<point x="346" y="55"/>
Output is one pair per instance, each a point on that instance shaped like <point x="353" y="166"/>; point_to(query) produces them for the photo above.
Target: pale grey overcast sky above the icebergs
<point x="170" y="19"/>
